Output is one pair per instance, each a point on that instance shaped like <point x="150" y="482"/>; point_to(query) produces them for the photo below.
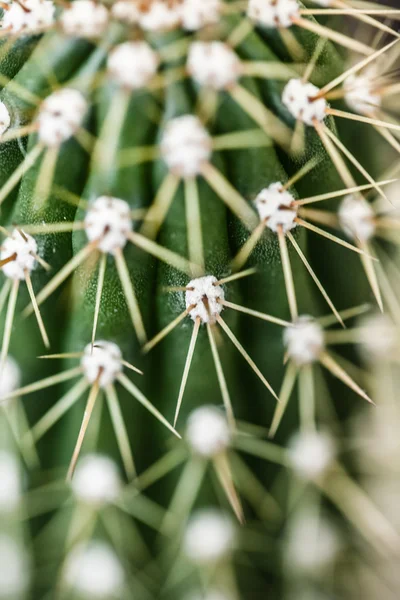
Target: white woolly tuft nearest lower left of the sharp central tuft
<point x="102" y="362"/>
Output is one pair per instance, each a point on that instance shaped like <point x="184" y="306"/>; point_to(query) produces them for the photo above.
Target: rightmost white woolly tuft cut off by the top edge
<point x="273" y="13"/>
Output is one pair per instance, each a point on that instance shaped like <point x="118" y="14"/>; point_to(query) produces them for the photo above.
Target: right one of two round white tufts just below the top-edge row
<point x="214" y="65"/>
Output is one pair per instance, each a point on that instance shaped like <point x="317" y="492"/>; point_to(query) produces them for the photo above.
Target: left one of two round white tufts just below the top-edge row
<point x="133" y="64"/>
